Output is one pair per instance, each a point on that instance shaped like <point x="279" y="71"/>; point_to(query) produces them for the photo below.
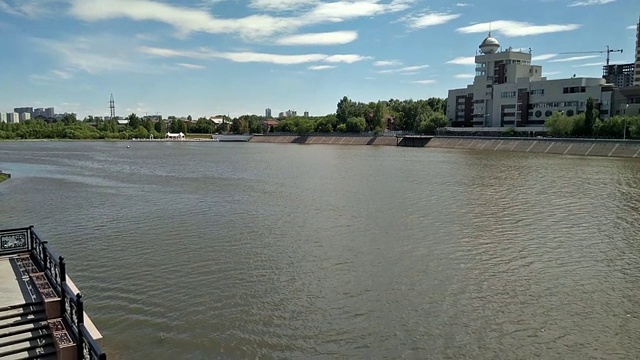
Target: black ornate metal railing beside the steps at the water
<point x="18" y="240"/>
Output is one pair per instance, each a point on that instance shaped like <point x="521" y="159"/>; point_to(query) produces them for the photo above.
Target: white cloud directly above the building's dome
<point x="510" y="28"/>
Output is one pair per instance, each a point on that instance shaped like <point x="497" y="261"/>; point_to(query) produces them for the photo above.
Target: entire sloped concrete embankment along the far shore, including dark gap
<point x="576" y="147"/>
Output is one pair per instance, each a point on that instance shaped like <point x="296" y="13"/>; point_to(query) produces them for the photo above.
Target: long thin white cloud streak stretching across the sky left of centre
<point x="247" y="56"/>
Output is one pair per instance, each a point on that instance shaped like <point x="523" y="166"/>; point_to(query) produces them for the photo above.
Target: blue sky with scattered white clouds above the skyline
<point x="207" y="57"/>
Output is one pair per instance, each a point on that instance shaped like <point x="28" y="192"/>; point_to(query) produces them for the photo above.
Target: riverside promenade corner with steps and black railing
<point x="41" y="310"/>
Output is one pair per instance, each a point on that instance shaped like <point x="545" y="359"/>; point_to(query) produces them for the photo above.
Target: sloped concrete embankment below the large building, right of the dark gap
<point x="613" y="148"/>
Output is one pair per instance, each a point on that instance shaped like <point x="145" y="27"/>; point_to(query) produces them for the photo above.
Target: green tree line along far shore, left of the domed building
<point x="422" y="116"/>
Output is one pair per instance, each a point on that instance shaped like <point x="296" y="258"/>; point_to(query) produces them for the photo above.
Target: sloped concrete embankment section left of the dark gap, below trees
<point x="326" y="140"/>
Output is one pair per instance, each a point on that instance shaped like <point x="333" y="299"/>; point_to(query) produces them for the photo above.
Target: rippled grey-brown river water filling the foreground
<point x="246" y="251"/>
